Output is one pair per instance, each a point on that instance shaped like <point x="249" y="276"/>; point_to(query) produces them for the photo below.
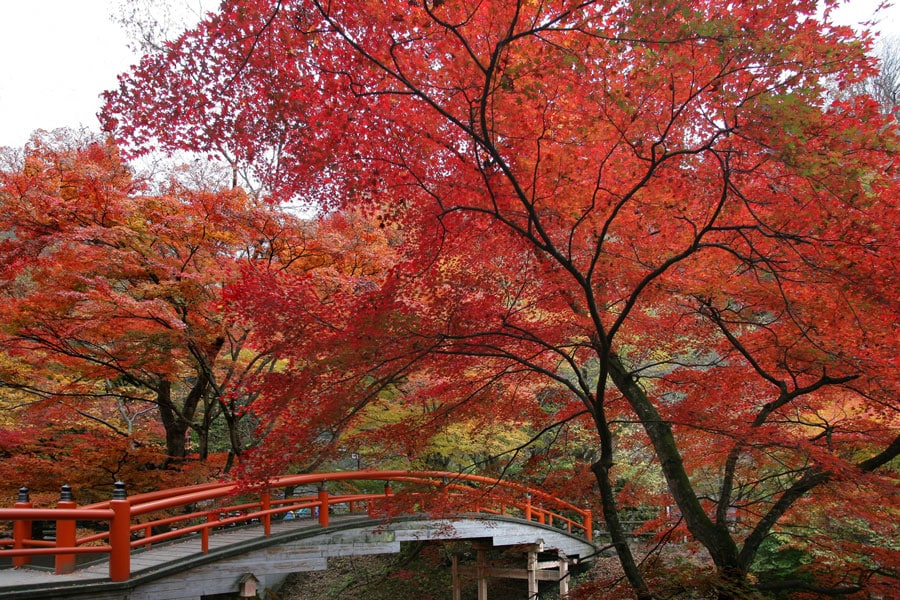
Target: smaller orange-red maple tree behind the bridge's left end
<point x="112" y="296"/>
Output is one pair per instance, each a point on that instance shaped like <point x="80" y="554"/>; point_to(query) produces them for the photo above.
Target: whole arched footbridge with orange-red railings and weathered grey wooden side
<point x="105" y="548"/>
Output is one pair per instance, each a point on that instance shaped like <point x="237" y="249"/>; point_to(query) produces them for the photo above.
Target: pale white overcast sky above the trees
<point x="57" y="56"/>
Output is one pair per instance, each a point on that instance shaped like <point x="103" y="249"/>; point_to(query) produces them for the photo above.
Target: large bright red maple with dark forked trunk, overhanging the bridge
<point x="648" y="211"/>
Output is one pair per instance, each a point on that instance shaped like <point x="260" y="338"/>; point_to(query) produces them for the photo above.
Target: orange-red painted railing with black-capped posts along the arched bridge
<point x="139" y="521"/>
